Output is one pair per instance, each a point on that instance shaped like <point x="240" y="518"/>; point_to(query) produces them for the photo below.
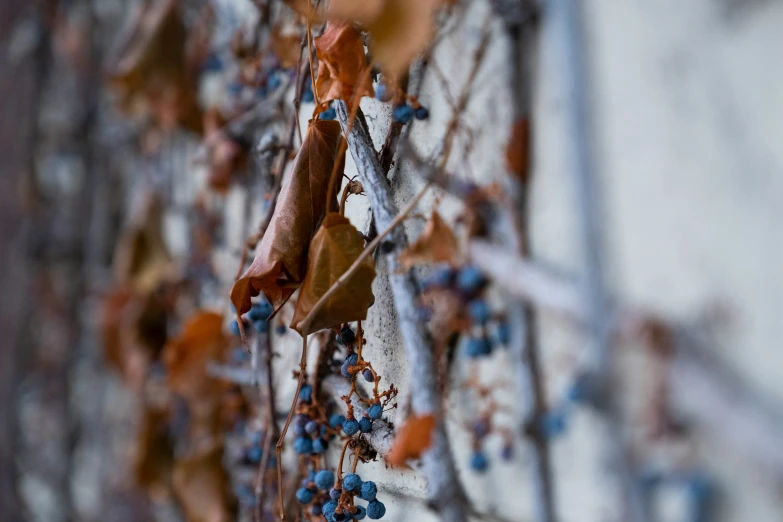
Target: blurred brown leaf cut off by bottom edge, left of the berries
<point x="202" y="487"/>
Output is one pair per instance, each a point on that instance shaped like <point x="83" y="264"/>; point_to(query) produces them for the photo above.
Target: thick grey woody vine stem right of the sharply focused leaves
<point x="445" y="491"/>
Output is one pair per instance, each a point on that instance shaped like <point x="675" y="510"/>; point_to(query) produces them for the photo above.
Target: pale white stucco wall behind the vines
<point x="689" y="110"/>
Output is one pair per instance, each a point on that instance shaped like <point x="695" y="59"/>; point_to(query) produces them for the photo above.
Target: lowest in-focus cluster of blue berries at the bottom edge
<point x="334" y="498"/>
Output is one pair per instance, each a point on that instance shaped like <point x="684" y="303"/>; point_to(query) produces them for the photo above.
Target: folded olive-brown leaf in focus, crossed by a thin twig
<point x="333" y="250"/>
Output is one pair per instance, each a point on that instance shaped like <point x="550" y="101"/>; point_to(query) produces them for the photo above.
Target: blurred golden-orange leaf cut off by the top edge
<point x="400" y="29"/>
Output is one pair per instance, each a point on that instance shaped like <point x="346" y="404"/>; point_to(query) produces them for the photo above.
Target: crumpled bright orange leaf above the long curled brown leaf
<point x="342" y="68"/>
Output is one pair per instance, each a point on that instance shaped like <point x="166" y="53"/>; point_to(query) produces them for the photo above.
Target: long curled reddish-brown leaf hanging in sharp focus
<point x="280" y="265"/>
